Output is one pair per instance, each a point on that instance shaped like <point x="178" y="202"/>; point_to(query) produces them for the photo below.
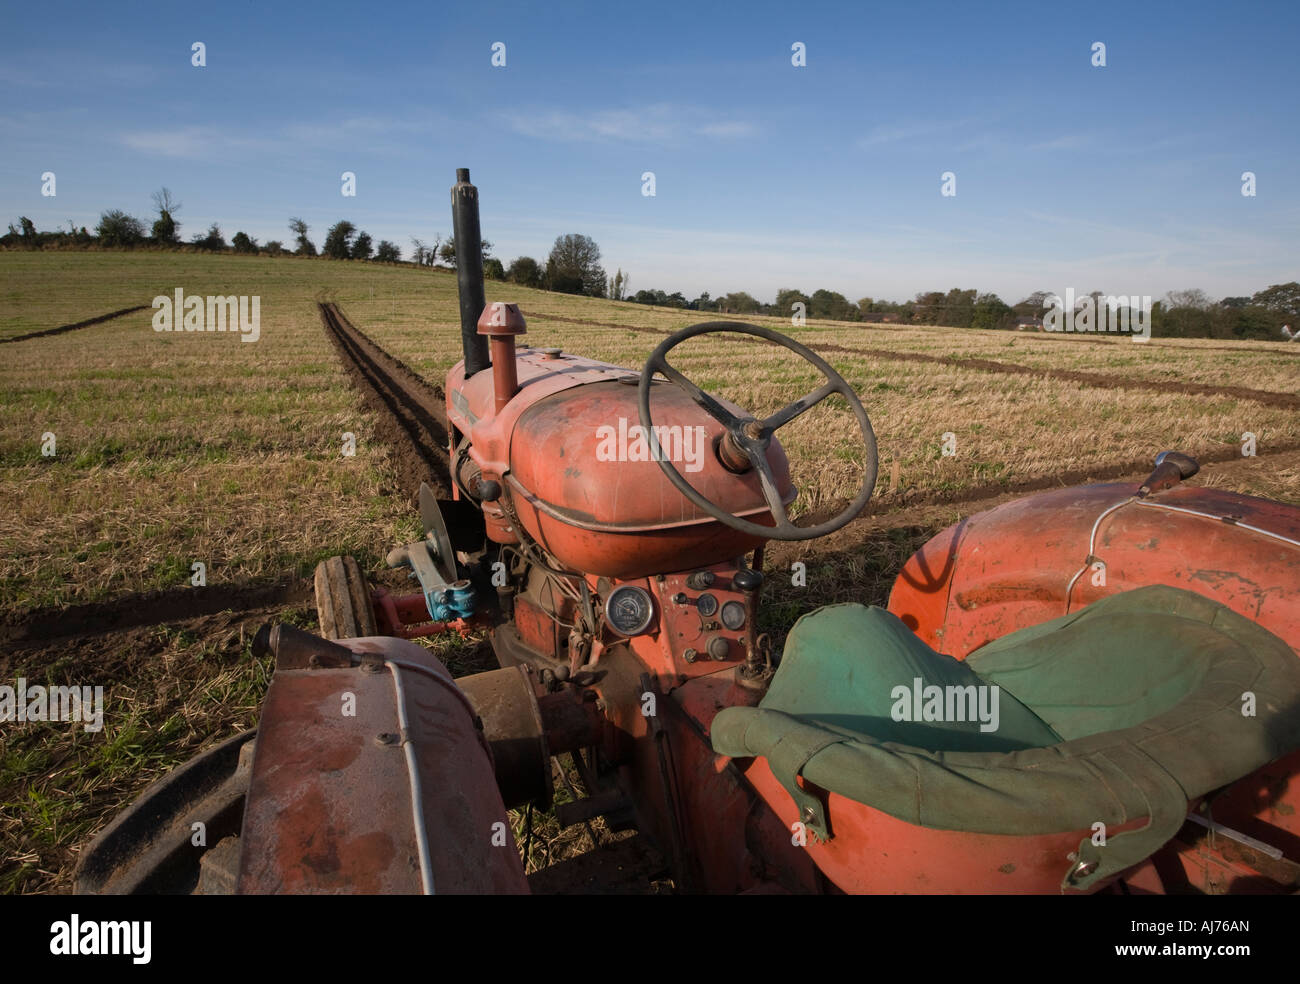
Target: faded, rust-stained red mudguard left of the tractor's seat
<point x="330" y="803"/>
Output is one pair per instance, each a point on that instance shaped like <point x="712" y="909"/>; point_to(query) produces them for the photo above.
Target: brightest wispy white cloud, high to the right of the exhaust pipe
<point x="661" y="123"/>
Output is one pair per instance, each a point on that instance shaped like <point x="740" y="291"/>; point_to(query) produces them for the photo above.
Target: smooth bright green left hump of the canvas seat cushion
<point x="860" y="671"/>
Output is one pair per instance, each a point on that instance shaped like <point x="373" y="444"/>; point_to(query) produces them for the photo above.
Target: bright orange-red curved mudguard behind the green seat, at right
<point x="1008" y="569"/>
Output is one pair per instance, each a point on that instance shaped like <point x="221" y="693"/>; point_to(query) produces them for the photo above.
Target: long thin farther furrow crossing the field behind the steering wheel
<point x="1271" y="398"/>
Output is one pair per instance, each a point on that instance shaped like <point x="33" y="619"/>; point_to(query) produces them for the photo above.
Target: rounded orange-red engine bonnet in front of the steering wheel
<point x="566" y="453"/>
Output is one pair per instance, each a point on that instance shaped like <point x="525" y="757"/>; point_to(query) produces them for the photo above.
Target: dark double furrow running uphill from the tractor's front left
<point x="411" y="415"/>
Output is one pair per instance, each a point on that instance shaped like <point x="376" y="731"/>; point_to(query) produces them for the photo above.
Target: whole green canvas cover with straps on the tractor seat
<point x="1134" y="706"/>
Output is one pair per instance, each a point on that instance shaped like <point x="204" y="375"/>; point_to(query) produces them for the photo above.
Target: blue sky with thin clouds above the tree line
<point x="1125" y="179"/>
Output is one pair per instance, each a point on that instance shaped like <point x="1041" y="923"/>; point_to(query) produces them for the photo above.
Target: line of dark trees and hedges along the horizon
<point x="574" y="267"/>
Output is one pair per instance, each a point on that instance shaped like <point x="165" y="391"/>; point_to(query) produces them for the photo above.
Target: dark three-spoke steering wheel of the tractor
<point x="752" y="436"/>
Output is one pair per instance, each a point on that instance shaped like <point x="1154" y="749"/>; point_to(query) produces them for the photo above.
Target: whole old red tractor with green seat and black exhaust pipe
<point x="1093" y="690"/>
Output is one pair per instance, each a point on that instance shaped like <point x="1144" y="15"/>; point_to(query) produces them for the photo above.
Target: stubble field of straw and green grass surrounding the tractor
<point x="176" y="449"/>
